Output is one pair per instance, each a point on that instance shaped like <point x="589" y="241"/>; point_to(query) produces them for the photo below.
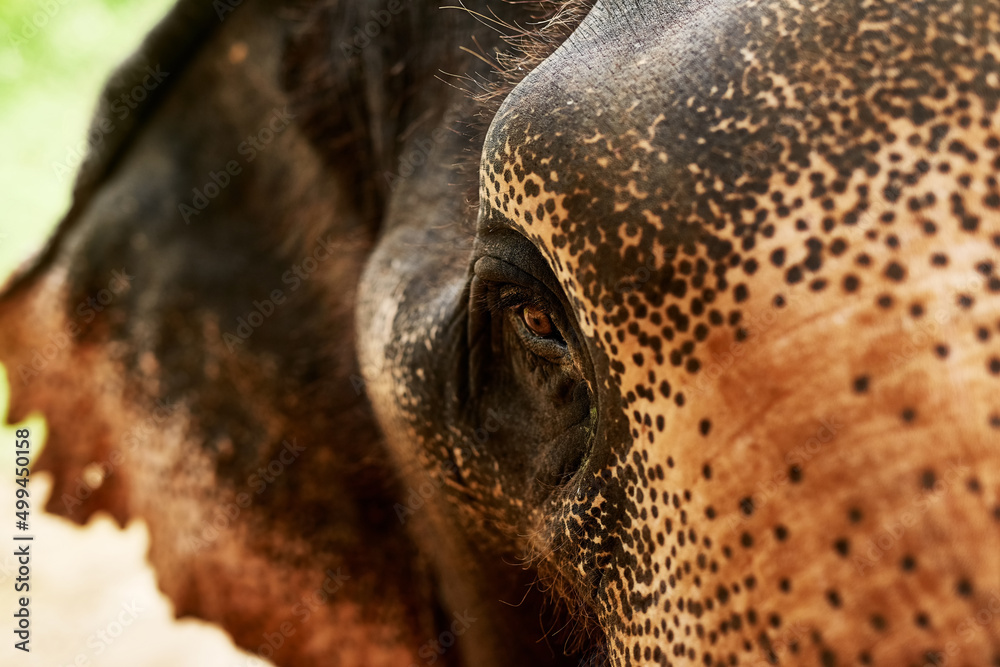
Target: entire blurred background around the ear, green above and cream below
<point x="55" y="56"/>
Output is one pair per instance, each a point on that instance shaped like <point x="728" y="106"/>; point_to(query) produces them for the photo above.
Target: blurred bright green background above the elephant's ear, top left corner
<point x="50" y="77"/>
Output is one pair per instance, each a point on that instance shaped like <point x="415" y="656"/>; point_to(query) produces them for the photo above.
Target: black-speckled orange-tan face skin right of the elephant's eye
<point x="815" y="226"/>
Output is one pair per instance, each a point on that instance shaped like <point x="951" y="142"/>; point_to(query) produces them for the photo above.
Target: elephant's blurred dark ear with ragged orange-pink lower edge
<point x="188" y="335"/>
